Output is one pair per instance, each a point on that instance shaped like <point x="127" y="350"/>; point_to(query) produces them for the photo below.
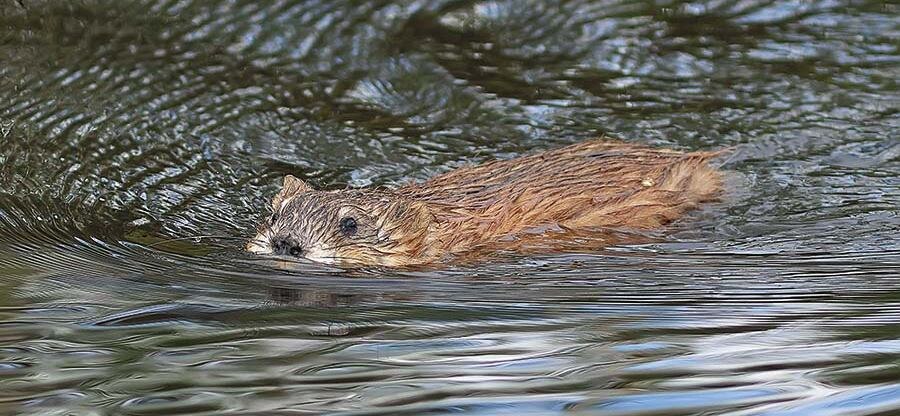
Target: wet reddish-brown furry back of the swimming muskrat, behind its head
<point x="586" y="185"/>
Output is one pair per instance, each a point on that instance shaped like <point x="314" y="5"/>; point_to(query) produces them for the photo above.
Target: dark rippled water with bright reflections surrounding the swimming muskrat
<point x="125" y="124"/>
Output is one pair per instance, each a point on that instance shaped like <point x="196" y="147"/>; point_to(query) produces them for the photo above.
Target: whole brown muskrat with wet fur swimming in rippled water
<point x="587" y="186"/>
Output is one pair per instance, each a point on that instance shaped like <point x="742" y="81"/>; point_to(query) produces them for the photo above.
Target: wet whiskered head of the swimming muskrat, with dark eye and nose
<point x="348" y="227"/>
